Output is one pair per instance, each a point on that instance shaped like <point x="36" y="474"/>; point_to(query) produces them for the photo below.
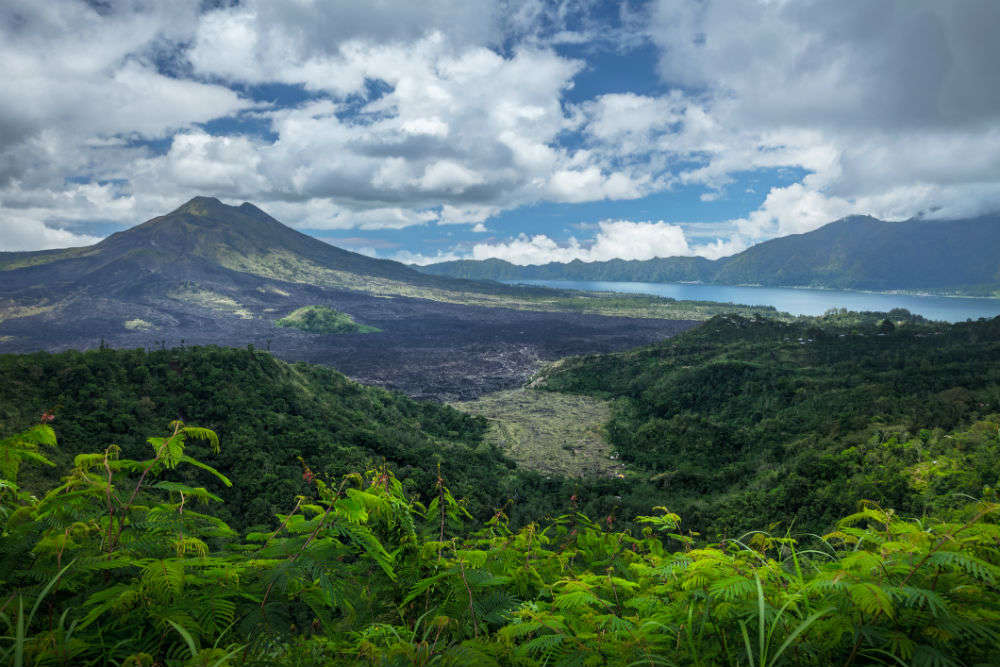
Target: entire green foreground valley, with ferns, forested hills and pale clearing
<point x="812" y="492"/>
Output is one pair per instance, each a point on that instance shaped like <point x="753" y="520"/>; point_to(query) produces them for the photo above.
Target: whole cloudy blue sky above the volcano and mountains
<point x="523" y="130"/>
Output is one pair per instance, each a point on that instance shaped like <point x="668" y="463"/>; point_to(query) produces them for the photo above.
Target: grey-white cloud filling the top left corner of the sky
<point x="72" y="71"/>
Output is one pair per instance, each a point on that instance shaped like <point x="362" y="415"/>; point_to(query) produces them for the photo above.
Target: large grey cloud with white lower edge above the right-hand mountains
<point x="893" y="108"/>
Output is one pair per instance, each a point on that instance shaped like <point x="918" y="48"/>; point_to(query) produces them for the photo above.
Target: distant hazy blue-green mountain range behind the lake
<point x="857" y="252"/>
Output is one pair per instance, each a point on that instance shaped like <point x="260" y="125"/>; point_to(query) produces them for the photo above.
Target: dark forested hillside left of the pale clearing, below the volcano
<point x="275" y="417"/>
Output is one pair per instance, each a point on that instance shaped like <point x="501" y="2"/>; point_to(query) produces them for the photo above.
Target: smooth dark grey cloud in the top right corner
<point x="837" y="64"/>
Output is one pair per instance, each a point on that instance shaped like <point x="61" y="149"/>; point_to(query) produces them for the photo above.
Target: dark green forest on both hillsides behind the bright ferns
<point x="740" y="423"/>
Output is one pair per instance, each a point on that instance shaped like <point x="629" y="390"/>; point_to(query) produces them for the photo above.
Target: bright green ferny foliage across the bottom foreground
<point x="359" y="574"/>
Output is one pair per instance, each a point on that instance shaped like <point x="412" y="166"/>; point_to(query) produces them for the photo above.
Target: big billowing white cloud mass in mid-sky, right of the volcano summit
<point x="459" y="128"/>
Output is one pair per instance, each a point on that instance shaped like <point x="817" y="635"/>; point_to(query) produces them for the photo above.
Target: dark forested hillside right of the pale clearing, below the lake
<point x="757" y="422"/>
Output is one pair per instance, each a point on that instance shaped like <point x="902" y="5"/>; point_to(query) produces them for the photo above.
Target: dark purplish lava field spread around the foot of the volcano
<point x="426" y="349"/>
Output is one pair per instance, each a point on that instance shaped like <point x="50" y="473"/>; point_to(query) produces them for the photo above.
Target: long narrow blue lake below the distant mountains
<point x="798" y="301"/>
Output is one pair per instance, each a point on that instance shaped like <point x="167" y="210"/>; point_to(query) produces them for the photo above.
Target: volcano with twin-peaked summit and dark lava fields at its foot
<point x="210" y="273"/>
